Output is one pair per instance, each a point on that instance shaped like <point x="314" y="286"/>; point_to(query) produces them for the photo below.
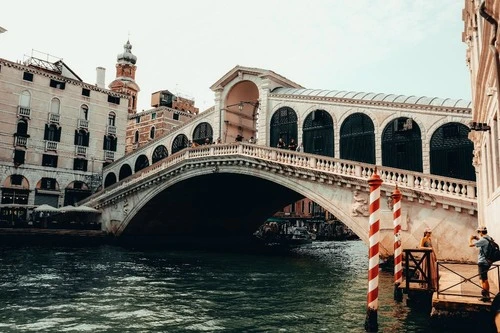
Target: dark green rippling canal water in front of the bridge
<point x="321" y="288"/>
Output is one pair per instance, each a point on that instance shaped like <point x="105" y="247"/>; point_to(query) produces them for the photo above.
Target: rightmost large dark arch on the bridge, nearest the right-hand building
<point x="451" y="152"/>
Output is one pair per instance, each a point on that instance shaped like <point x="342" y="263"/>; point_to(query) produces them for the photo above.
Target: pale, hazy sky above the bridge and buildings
<point x="402" y="47"/>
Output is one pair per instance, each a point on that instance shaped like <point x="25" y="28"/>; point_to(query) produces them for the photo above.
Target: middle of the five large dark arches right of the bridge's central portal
<point x="357" y="139"/>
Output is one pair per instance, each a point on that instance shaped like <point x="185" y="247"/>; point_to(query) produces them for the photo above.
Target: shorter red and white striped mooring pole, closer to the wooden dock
<point x="398" y="255"/>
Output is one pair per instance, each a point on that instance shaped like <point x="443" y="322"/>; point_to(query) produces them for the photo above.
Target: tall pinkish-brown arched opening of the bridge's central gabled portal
<point x="240" y="111"/>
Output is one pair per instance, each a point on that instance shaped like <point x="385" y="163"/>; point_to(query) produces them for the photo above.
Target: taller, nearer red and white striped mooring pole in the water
<point x="371" y="322"/>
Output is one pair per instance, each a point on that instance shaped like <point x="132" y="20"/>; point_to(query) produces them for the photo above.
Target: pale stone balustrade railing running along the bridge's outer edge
<point x="324" y="166"/>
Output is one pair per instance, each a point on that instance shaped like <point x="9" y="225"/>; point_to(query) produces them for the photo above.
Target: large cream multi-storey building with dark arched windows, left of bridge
<point x="57" y="133"/>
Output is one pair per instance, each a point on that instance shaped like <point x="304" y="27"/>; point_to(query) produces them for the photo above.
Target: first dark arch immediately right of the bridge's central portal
<point x="284" y="125"/>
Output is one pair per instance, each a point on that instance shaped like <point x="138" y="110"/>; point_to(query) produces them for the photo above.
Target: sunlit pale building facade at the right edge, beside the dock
<point x="482" y="57"/>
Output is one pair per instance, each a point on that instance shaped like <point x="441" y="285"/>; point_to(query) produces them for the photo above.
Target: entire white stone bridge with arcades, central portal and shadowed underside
<point x="421" y="144"/>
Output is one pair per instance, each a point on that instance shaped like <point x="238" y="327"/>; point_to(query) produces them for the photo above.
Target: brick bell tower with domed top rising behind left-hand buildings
<point x="125" y="77"/>
